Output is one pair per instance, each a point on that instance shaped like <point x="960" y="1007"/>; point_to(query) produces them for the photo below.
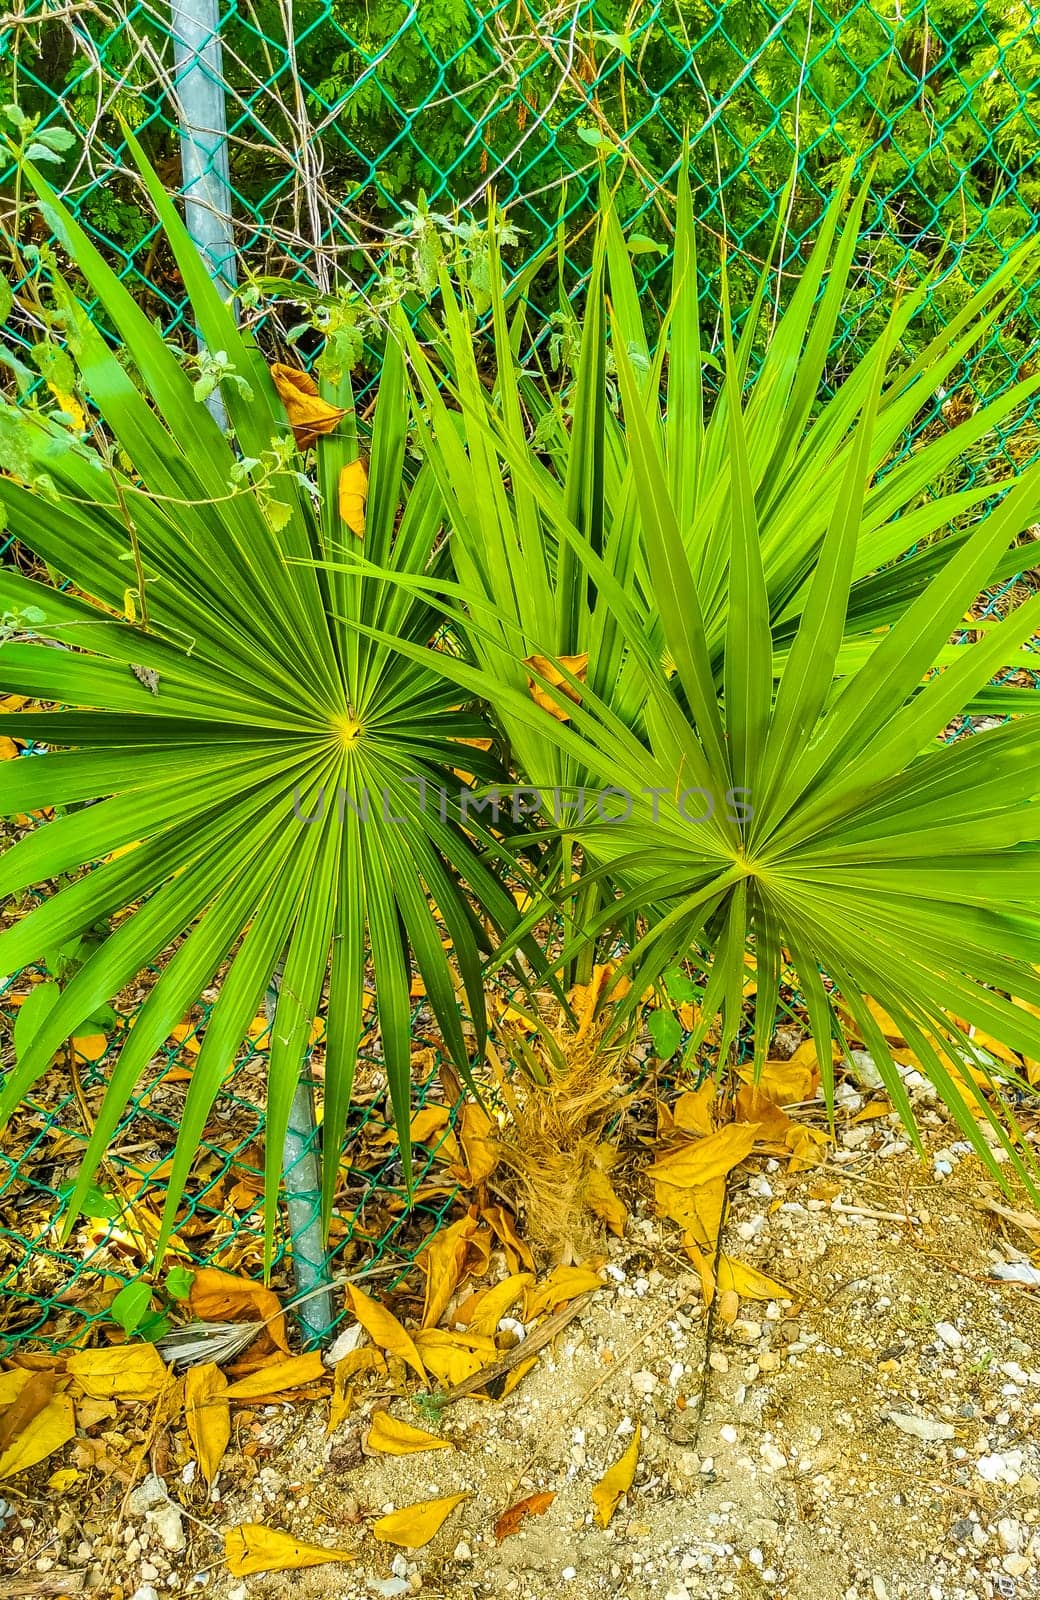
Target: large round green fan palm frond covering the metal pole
<point x="239" y="766"/>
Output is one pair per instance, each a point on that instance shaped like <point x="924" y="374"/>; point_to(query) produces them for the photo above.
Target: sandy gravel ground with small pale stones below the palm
<point x="874" y="1436"/>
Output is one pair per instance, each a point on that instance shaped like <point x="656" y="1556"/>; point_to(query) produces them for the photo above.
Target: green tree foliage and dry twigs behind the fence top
<point x="383" y="119"/>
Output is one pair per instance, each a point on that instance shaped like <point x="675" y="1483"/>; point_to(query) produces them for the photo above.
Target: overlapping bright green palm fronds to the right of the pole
<point x="770" y="602"/>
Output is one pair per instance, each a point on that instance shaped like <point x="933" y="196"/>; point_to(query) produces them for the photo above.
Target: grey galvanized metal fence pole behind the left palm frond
<point x="201" y="94"/>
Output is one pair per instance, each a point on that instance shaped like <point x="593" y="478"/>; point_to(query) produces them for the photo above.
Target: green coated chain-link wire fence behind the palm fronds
<point x="356" y="130"/>
